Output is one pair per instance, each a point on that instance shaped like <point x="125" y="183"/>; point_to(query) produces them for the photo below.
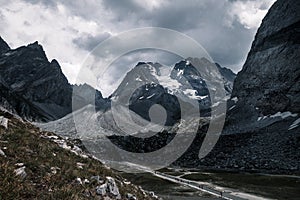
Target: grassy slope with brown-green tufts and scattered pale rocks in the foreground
<point x="24" y="143"/>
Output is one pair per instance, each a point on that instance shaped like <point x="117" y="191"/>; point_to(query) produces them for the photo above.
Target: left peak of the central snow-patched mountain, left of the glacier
<point x="141" y="87"/>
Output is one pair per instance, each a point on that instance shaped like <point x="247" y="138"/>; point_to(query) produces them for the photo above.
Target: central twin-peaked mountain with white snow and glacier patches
<point x="181" y="86"/>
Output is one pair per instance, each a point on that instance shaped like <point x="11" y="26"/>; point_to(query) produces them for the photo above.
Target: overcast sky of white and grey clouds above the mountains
<point x="70" y="29"/>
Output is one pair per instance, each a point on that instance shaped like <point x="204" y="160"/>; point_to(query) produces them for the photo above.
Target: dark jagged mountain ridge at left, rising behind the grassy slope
<point x="35" y="88"/>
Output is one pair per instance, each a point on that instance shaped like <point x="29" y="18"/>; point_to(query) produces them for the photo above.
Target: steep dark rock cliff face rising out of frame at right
<point x="270" y="79"/>
